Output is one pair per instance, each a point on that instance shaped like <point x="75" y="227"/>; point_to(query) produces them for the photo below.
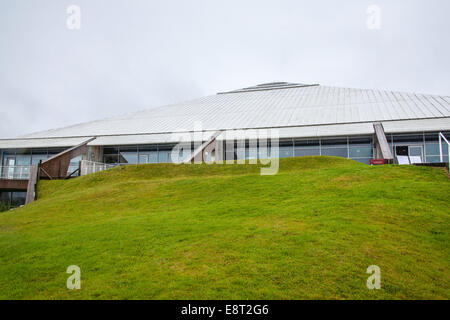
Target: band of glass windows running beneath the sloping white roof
<point x="359" y="148"/>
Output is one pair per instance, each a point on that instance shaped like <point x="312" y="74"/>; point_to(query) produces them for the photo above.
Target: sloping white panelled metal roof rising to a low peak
<point x="273" y="105"/>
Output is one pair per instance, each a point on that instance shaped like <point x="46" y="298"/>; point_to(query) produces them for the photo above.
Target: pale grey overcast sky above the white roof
<point x="138" y="54"/>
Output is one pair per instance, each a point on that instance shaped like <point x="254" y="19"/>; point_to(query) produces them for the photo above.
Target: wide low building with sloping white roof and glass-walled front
<point x="359" y="124"/>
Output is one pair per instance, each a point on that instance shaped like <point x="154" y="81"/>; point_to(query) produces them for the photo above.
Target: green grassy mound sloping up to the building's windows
<point x="226" y="232"/>
